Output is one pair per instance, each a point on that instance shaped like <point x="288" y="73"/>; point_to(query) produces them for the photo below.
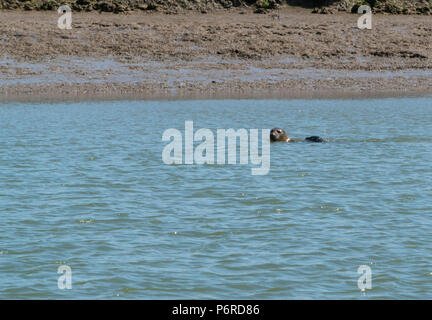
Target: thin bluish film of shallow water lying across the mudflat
<point x="109" y="70"/>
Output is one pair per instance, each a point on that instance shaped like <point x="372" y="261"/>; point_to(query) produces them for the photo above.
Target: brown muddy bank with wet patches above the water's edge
<point x="227" y="54"/>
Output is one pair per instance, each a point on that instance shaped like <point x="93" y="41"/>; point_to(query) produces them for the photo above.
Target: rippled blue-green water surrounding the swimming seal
<point x="84" y="185"/>
